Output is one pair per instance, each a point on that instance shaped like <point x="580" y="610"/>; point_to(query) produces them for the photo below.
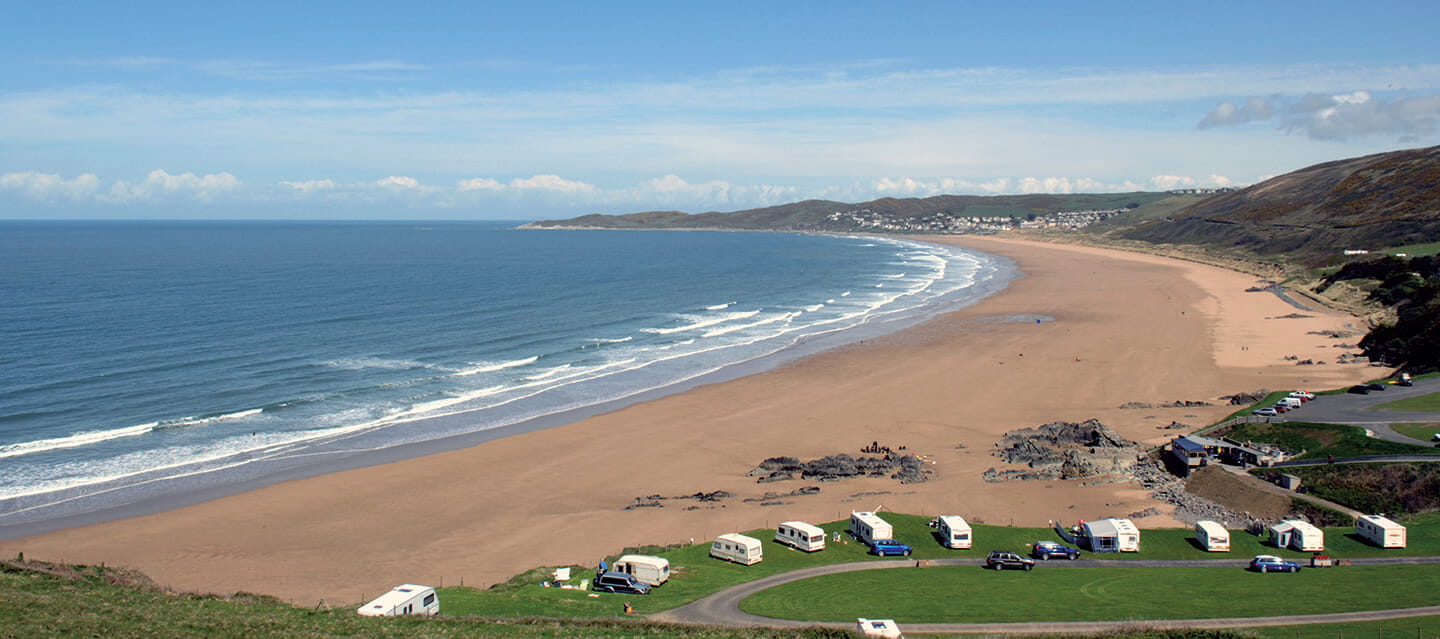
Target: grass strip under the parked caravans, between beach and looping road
<point x="696" y="575"/>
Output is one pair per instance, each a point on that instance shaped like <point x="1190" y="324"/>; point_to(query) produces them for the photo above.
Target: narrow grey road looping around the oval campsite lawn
<point x="722" y="609"/>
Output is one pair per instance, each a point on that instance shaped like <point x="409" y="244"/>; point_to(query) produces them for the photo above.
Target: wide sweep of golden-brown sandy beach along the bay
<point x="1122" y="329"/>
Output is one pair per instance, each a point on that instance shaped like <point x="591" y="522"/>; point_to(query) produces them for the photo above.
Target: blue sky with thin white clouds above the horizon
<point x="523" y="110"/>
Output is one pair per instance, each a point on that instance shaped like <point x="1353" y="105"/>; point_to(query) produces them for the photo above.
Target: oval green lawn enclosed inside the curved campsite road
<point x="967" y="594"/>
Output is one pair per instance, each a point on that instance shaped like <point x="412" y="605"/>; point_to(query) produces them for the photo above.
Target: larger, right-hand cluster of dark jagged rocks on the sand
<point x="1066" y="451"/>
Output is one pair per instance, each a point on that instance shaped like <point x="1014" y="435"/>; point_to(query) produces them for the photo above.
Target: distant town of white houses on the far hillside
<point x="868" y="219"/>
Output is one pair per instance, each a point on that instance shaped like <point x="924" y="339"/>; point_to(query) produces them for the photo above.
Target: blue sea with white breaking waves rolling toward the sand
<point x="142" y="362"/>
